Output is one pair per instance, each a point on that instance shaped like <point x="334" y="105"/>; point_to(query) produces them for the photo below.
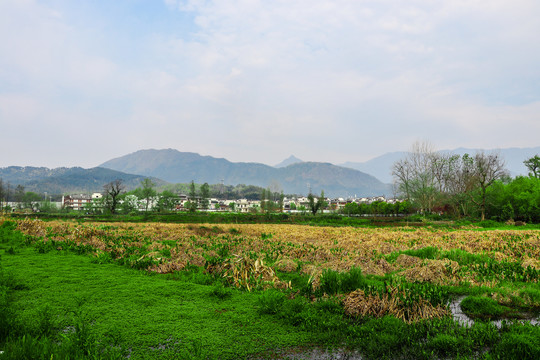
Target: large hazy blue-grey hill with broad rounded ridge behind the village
<point x="182" y="167"/>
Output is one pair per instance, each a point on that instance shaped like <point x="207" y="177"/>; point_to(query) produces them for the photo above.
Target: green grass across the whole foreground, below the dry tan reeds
<point x="57" y="304"/>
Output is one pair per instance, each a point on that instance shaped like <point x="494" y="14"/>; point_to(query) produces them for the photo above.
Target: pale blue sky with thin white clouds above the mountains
<point x="82" y="82"/>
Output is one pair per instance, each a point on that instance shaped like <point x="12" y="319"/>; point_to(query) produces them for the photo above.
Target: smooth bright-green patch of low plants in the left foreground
<point x="148" y="316"/>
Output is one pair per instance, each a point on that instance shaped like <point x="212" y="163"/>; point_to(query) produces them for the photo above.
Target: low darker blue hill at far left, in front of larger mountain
<point x="67" y="180"/>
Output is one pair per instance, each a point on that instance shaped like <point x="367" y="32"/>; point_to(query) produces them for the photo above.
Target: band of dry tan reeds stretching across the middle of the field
<point x="171" y="247"/>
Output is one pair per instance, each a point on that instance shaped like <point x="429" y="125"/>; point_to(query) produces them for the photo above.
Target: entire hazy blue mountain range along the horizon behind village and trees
<point x="292" y="175"/>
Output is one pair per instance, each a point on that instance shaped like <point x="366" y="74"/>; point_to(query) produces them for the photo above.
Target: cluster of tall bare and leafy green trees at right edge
<point x="467" y="186"/>
